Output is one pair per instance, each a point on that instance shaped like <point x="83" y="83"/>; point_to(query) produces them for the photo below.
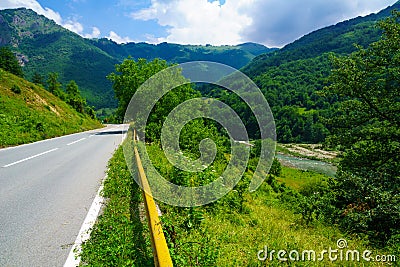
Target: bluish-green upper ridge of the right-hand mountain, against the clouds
<point x="339" y="38"/>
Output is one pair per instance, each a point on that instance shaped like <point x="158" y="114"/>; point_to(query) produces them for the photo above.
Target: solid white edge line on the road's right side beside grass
<point x="74" y="258"/>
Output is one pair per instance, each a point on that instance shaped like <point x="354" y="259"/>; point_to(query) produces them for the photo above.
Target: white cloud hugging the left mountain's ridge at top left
<point x="71" y="24"/>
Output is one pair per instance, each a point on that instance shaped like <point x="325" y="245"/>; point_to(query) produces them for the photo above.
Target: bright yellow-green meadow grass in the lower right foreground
<point x="235" y="237"/>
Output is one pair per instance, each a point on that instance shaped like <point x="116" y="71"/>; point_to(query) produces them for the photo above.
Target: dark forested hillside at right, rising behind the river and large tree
<point x="293" y="77"/>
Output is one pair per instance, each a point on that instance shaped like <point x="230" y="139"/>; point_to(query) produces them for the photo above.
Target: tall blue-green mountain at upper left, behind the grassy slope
<point x="43" y="47"/>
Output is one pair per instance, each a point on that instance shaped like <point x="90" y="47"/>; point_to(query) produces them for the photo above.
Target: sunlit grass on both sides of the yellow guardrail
<point x="218" y="234"/>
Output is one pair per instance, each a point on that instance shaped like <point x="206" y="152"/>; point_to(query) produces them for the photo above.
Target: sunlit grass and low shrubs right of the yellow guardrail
<point x="231" y="231"/>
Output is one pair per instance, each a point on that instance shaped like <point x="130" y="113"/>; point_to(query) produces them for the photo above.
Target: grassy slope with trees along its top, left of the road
<point x="43" y="109"/>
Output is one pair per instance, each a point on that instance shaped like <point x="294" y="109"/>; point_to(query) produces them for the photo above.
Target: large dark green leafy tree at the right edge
<point x="367" y="126"/>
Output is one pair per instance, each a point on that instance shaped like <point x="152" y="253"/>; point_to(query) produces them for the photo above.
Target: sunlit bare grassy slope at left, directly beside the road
<point x="29" y="113"/>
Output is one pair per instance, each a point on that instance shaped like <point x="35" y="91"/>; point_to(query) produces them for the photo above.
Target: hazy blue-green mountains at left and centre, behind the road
<point x="43" y="46"/>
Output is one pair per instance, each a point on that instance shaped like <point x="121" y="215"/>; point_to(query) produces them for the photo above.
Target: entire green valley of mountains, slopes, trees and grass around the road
<point x="335" y="100"/>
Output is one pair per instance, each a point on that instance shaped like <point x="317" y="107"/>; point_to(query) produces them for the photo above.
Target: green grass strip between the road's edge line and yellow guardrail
<point x="119" y="237"/>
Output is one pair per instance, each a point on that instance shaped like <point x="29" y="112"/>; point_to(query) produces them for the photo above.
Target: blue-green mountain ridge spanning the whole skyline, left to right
<point x="43" y="46"/>
